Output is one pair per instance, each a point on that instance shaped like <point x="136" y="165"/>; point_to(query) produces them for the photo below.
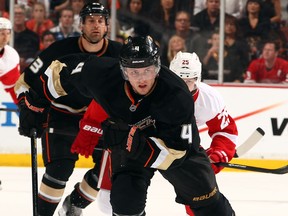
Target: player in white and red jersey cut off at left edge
<point x="9" y="59"/>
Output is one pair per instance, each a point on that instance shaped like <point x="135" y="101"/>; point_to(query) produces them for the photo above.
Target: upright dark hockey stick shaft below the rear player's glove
<point x="34" y="166"/>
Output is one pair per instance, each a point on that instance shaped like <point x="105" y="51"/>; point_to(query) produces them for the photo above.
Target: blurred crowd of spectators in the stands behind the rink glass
<point x="176" y="25"/>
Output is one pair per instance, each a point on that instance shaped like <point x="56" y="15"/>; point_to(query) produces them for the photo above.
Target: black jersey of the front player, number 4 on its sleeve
<point x="166" y="113"/>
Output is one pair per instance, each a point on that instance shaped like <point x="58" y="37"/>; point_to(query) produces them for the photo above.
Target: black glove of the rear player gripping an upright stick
<point x="32" y="114"/>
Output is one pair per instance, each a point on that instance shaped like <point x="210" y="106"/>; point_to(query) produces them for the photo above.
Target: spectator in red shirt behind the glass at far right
<point x="269" y="68"/>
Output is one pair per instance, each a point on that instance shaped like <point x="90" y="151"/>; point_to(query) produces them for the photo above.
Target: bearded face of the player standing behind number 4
<point x="94" y="27"/>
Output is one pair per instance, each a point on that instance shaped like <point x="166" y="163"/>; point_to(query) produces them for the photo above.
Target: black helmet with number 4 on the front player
<point x="139" y="52"/>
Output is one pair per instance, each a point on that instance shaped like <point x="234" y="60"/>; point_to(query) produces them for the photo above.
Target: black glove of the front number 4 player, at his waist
<point x="115" y="133"/>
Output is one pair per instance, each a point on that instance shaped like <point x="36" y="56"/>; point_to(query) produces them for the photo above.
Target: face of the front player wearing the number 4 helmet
<point x="141" y="79"/>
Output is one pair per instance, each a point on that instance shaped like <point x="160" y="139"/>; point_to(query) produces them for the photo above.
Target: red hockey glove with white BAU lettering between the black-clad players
<point x="87" y="138"/>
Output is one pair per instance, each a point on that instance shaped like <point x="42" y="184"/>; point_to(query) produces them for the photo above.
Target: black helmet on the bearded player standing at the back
<point x="94" y="8"/>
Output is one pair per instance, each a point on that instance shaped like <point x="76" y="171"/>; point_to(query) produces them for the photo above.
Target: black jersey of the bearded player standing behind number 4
<point x="74" y="102"/>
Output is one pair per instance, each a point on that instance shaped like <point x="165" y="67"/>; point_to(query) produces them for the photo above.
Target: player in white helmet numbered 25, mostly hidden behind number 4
<point x="210" y="109"/>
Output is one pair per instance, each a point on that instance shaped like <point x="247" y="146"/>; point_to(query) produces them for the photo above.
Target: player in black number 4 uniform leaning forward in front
<point x="151" y="127"/>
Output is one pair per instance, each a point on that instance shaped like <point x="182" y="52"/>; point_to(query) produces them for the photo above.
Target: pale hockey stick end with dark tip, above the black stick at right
<point x="250" y="142"/>
